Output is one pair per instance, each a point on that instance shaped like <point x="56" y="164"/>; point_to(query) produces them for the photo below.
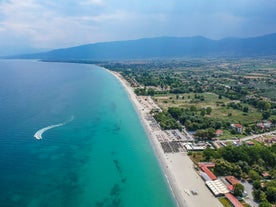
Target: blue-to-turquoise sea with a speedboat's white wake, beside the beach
<point x="70" y="137"/>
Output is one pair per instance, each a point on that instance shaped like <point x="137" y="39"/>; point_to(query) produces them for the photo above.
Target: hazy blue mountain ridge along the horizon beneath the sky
<point x="163" y="47"/>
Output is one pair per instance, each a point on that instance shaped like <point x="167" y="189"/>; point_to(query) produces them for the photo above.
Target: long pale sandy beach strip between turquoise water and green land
<point x="177" y="168"/>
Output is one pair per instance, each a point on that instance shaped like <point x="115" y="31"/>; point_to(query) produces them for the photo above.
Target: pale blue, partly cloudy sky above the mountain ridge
<point x="33" y="25"/>
